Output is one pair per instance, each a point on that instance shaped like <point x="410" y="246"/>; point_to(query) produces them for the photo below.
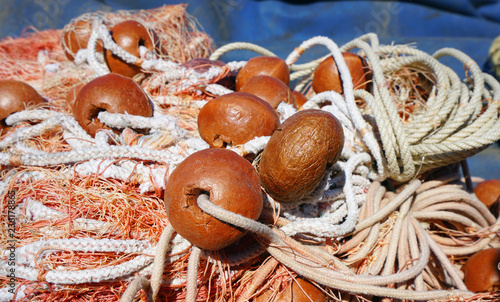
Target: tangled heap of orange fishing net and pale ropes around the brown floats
<point x="86" y="219"/>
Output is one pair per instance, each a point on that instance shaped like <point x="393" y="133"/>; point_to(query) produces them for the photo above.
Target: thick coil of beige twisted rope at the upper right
<point x="449" y="129"/>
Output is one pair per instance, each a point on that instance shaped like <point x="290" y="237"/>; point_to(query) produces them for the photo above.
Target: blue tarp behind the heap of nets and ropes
<point x="280" y="26"/>
